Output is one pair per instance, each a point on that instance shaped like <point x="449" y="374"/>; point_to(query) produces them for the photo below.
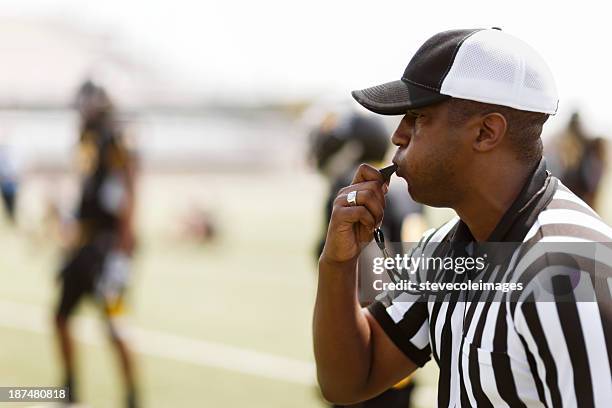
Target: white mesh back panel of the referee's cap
<point x="494" y="67"/>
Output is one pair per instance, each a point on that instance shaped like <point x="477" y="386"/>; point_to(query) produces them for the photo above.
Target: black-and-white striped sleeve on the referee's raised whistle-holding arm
<point x="405" y="321"/>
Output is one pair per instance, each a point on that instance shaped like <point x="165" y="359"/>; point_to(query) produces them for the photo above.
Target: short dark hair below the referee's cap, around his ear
<point x="524" y="128"/>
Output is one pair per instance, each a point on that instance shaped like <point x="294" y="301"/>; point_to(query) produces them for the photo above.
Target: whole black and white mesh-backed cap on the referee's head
<point x="484" y="65"/>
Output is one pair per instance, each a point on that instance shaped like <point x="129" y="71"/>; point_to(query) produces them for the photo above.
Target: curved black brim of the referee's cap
<point x="395" y="98"/>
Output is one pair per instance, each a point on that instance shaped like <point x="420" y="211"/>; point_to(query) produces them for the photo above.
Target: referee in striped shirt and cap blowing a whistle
<point x="473" y="103"/>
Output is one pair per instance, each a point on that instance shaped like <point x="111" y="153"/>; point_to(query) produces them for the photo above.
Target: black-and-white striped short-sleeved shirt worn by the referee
<point x="517" y="352"/>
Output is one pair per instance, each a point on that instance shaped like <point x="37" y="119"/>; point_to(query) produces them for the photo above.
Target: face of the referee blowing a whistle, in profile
<point x="431" y="156"/>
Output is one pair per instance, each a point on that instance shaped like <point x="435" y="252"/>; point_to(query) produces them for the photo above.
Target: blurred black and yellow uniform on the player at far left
<point x="105" y="161"/>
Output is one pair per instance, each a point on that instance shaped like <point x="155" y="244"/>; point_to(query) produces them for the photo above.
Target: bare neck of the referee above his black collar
<point x="488" y="201"/>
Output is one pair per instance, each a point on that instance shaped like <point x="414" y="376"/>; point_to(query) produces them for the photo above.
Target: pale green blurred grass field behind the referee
<point x="251" y="289"/>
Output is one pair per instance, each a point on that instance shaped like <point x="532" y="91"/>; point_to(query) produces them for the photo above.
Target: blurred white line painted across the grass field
<point x="159" y="344"/>
